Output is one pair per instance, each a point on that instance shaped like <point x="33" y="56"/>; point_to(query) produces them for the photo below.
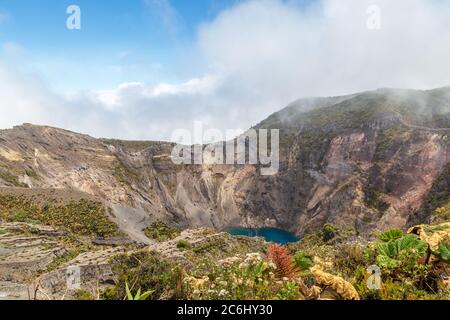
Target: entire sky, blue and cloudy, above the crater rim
<point x="141" y="69"/>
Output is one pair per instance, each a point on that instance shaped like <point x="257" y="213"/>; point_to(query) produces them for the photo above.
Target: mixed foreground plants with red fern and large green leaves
<point x="327" y="264"/>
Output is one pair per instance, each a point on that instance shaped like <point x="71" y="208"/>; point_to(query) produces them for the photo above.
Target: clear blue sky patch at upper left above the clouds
<point x="120" y="40"/>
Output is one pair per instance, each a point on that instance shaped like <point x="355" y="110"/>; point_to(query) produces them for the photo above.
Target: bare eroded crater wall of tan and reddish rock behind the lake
<point x="368" y="160"/>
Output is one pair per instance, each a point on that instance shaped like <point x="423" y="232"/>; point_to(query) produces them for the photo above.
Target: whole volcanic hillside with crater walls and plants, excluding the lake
<point x="122" y="212"/>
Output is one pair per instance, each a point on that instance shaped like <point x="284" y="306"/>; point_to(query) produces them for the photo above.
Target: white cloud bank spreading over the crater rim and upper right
<point x="261" y="56"/>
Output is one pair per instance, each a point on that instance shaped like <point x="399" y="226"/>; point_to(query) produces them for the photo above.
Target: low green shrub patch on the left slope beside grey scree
<point x="83" y="217"/>
